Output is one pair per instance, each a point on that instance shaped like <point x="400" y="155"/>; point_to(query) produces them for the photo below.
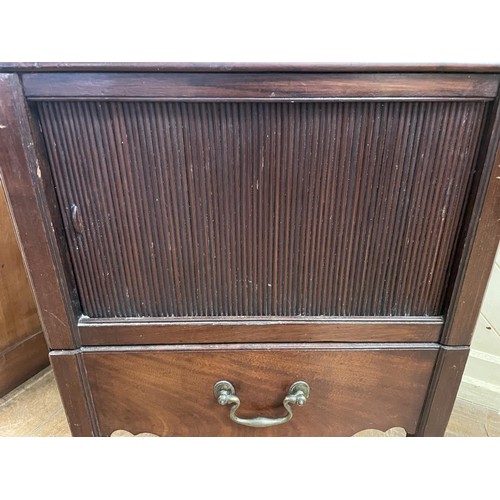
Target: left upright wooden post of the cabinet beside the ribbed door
<point x="21" y="169"/>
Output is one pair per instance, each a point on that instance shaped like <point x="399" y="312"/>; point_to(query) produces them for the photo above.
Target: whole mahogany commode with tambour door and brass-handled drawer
<point x="254" y="250"/>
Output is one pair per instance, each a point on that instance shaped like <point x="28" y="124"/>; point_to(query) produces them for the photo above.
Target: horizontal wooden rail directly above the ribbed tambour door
<point x="259" y="86"/>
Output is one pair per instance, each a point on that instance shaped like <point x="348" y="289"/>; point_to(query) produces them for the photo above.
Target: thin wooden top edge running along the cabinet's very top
<point x="236" y="67"/>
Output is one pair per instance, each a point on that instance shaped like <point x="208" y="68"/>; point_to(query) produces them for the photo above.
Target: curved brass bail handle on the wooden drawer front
<point x="226" y="395"/>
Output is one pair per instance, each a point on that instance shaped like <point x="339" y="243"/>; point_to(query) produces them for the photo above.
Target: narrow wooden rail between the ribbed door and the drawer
<point x="133" y="331"/>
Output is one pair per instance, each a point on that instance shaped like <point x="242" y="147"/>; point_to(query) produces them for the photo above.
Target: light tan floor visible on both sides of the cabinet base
<point x="35" y="409"/>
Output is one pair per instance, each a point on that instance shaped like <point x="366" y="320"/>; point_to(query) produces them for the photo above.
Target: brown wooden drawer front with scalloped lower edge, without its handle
<point x="169" y="391"/>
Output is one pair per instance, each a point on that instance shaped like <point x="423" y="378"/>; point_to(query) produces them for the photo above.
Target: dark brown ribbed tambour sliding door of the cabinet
<point x="262" y="209"/>
